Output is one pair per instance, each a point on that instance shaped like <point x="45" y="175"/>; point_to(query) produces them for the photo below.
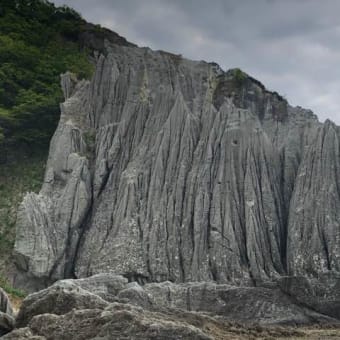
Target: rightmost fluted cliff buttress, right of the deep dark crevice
<point x="314" y="221"/>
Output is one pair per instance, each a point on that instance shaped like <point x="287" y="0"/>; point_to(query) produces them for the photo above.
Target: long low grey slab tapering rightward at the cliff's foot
<point x="238" y="304"/>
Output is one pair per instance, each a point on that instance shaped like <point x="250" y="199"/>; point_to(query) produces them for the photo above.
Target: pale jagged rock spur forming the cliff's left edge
<point x="58" y="211"/>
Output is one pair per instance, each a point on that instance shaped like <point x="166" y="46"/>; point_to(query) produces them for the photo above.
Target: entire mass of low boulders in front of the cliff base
<point x="107" y="306"/>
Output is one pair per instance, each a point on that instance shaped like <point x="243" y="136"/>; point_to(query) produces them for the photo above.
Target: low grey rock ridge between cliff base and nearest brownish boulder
<point x="265" y="306"/>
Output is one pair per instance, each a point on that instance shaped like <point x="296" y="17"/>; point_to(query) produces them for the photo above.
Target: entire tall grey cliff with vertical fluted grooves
<point x="163" y="168"/>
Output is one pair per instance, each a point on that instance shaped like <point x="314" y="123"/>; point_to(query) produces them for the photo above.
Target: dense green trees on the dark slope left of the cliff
<point x="38" y="42"/>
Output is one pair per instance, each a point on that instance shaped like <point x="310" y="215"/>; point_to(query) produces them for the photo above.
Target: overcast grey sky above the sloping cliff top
<point x="291" y="46"/>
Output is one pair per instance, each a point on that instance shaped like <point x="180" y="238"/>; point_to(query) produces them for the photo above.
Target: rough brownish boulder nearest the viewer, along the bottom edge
<point x="115" y="322"/>
